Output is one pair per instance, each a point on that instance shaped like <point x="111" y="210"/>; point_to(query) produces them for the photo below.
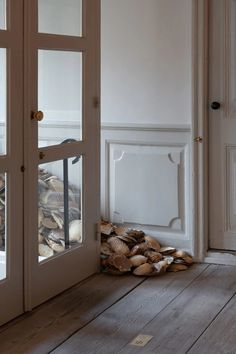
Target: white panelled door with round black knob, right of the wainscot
<point x="222" y="124"/>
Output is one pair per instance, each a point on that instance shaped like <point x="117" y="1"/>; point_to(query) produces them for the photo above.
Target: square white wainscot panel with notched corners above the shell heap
<point x="139" y="176"/>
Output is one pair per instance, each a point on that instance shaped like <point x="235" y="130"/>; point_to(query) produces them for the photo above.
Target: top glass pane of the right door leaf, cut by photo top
<point x="60" y="17"/>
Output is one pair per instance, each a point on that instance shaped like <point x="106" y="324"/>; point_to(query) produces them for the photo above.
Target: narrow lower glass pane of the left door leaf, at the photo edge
<point x="2" y="226"/>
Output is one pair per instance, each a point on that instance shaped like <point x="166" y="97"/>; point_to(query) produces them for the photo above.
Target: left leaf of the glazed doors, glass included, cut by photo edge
<point x="11" y="160"/>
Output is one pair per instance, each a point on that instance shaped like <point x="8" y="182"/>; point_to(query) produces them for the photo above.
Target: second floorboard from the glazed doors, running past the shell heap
<point x="119" y="324"/>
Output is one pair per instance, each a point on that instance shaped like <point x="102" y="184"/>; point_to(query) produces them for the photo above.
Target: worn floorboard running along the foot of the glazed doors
<point x="51" y="323"/>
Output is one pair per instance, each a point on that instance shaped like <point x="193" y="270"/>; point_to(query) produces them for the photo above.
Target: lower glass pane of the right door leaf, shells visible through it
<point x="59" y="206"/>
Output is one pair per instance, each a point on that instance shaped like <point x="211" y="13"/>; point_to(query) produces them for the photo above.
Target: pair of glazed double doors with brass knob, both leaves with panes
<point x="55" y="141"/>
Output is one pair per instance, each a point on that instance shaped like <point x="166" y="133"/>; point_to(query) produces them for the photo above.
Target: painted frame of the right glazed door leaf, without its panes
<point x="48" y="278"/>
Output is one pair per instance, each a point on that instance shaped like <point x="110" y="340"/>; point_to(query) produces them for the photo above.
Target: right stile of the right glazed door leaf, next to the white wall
<point x="92" y="126"/>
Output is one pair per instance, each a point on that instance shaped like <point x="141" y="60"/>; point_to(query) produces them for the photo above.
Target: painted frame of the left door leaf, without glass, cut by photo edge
<point x="11" y="288"/>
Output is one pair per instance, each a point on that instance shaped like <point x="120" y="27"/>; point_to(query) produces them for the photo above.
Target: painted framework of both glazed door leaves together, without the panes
<point x="27" y="282"/>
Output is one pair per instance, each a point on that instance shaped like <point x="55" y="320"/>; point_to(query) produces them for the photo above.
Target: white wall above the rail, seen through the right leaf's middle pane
<point x="60" y="80"/>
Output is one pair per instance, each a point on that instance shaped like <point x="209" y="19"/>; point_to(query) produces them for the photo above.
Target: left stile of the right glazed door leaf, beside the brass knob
<point x="30" y="151"/>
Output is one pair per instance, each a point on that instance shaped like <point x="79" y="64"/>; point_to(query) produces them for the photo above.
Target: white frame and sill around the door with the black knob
<point x="200" y="129"/>
